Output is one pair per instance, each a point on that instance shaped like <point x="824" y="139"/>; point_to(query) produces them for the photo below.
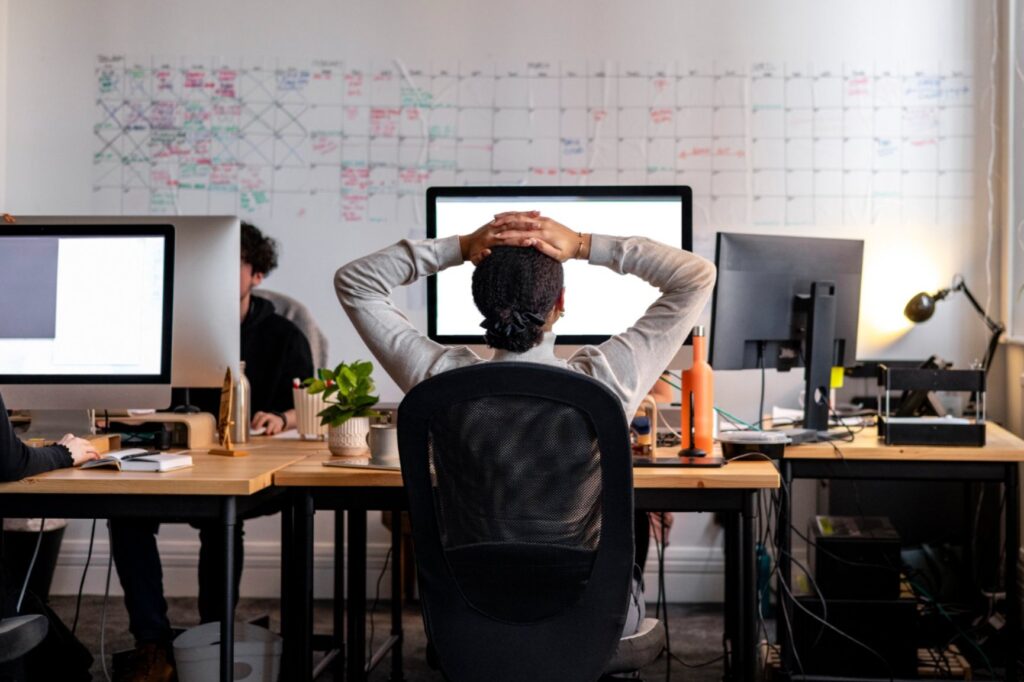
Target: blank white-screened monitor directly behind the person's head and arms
<point x="663" y="214"/>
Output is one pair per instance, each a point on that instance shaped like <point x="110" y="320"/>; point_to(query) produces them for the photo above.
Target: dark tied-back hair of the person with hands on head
<point x="516" y="289"/>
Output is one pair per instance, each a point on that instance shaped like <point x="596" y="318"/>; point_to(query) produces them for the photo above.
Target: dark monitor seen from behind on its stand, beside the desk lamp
<point x="784" y="303"/>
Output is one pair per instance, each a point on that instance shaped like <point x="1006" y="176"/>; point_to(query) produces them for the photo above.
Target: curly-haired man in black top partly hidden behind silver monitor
<point x="275" y="352"/>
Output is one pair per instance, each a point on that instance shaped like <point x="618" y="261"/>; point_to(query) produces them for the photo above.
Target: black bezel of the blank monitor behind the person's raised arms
<point x="685" y="193"/>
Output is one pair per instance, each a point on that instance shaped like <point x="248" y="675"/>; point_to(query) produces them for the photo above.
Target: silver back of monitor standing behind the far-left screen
<point x="207" y="253"/>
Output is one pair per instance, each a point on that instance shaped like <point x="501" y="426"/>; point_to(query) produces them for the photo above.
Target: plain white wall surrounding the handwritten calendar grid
<point x="49" y="104"/>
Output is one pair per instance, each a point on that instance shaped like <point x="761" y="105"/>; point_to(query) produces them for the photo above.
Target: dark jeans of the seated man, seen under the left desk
<point x="134" y="544"/>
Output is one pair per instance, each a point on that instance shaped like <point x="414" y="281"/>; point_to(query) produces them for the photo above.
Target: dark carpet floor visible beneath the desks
<point x="696" y="635"/>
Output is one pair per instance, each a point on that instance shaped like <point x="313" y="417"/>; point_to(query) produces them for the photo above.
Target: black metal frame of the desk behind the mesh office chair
<point x="741" y="504"/>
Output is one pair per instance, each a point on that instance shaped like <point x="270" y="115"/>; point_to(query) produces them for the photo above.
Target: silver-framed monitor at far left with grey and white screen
<point x="86" y="319"/>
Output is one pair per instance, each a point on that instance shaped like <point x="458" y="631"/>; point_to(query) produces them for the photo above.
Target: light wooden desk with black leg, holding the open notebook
<point x="214" y="489"/>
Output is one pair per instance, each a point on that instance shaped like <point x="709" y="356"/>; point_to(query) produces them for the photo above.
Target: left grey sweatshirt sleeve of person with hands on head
<point x="364" y="288"/>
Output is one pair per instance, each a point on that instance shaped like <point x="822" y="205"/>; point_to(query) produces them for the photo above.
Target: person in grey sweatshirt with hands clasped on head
<point x="518" y="286"/>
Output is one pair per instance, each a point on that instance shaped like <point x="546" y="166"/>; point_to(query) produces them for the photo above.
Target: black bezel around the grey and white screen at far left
<point x="58" y="231"/>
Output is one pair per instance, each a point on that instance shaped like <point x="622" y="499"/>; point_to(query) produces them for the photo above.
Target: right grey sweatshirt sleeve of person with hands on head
<point x="630" y="363"/>
